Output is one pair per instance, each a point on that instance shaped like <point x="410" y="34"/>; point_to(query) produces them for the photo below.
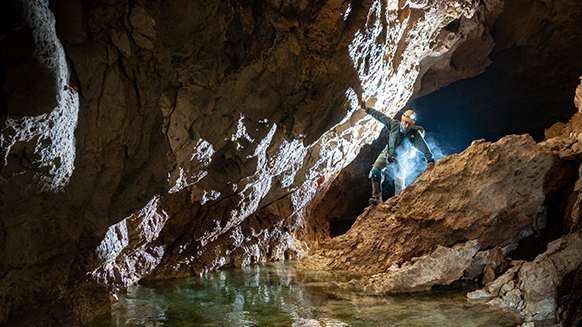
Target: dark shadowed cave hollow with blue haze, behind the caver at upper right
<point x="535" y="66"/>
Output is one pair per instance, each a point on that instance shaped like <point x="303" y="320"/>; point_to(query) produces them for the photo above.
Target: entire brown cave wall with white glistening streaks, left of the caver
<point x="166" y="138"/>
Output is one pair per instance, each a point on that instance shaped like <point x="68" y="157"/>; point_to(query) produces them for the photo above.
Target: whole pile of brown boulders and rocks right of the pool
<point x="418" y="239"/>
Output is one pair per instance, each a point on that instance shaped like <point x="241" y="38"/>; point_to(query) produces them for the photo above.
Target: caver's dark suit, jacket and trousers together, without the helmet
<point x="388" y="154"/>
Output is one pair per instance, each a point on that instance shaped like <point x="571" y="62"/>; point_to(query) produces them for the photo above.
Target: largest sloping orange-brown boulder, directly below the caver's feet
<point x="492" y="192"/>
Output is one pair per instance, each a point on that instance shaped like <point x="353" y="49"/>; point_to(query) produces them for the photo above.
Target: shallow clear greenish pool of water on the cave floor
<point x="276" y="295"/>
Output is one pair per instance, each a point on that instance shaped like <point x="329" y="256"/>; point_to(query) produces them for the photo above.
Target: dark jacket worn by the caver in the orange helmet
<point x="396" y="137"/>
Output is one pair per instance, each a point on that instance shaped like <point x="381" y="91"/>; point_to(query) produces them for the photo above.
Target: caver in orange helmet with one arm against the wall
<point x="403" y="130"/>
